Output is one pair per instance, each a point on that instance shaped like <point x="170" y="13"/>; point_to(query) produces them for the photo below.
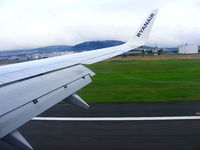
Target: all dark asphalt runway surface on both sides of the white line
<point x="115" y="135"/>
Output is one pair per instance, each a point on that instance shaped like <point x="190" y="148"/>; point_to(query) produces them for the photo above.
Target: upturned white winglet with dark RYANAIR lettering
<point x="141" y="36"/>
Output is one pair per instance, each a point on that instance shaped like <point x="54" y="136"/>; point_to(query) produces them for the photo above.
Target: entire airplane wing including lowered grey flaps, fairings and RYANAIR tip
<point x="29" y="88"/>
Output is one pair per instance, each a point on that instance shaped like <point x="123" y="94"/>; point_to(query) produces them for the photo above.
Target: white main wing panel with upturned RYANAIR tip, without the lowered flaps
<point x="14" y="72"/>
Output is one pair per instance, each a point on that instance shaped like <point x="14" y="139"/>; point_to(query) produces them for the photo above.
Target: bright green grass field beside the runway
<point x="144" y="81"/>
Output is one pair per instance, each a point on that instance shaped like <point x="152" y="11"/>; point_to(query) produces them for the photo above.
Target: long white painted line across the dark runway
<point x="115" y="118"/>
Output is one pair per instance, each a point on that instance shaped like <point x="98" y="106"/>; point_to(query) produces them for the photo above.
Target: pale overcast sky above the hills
<point x="35" y="23"/>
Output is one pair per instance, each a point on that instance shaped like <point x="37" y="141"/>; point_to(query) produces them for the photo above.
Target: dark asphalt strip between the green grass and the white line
<point x="126" y="110"/>
